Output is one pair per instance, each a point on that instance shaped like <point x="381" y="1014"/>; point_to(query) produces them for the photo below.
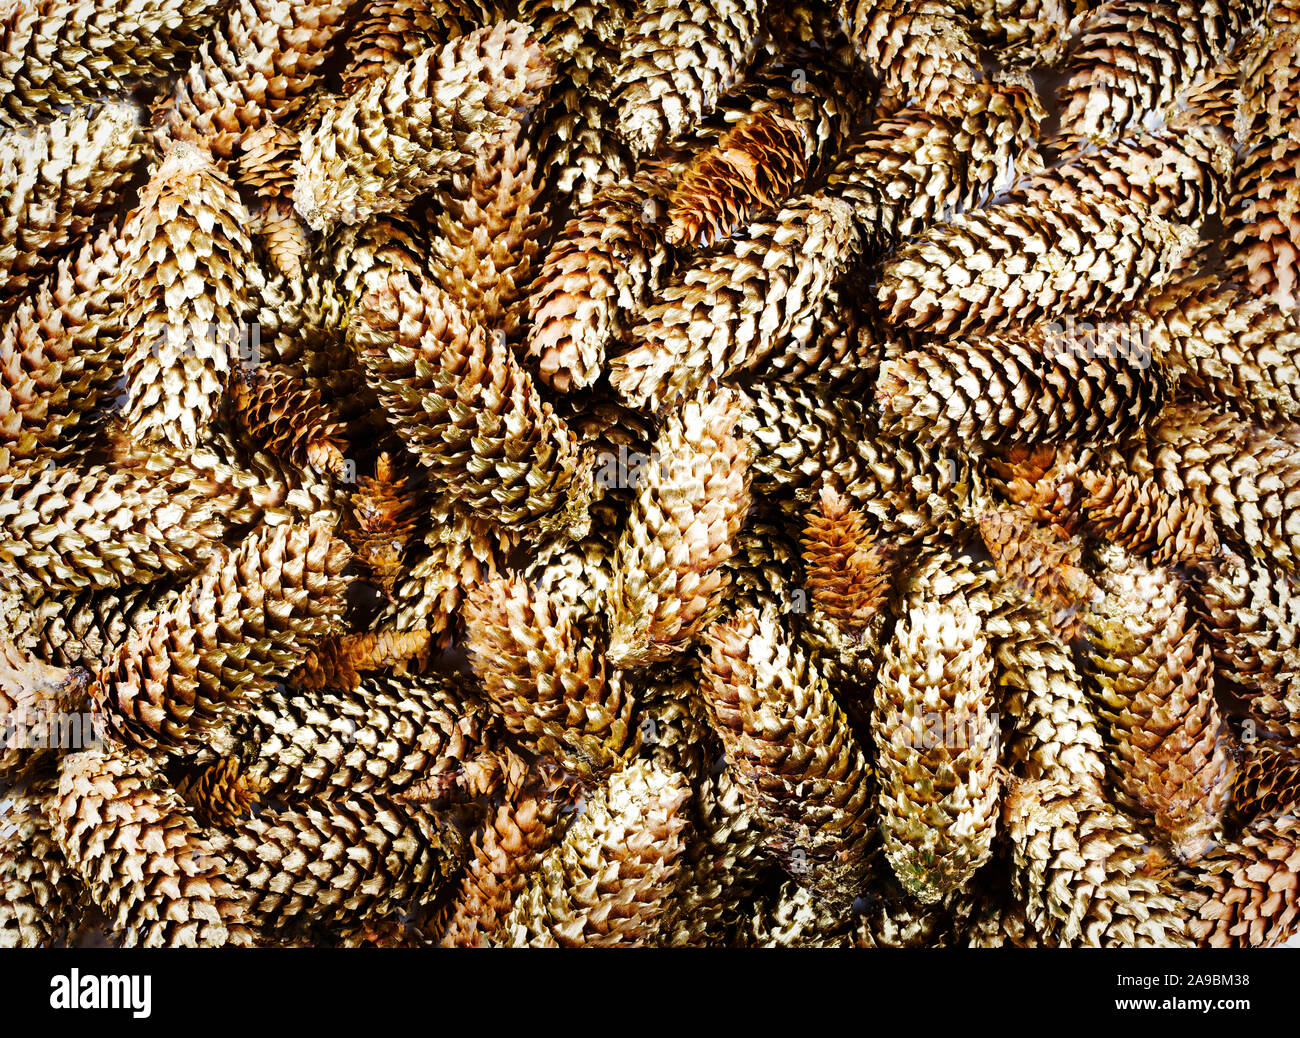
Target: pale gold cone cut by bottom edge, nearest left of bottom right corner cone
<point x="1082" y="873"/>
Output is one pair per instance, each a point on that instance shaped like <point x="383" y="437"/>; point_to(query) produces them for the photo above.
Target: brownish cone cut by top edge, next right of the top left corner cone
<point x="262" y="63"/>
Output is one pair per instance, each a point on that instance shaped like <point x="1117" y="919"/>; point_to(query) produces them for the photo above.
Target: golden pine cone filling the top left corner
<point x="54" y="54"/>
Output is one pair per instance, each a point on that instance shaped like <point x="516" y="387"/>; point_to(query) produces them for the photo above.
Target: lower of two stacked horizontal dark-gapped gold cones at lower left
<point x="341" y="862"/>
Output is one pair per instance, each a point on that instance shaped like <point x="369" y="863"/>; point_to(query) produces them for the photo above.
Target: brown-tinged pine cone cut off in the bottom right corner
<point x="1245" y="894"/>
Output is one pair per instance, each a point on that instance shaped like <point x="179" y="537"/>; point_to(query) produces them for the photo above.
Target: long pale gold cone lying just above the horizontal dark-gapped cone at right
<point x="1024" y="262"/>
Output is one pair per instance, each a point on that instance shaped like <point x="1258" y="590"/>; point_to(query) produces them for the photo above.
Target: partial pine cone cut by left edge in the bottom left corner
<point x="42" y="898"/>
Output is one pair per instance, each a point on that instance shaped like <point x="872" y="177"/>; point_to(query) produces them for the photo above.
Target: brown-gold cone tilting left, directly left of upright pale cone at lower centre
<point x="794" y="752"/>
